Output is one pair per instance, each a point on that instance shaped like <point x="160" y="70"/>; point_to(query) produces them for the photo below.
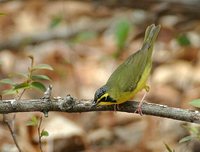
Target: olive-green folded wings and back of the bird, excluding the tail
<point x="128" y="74"/>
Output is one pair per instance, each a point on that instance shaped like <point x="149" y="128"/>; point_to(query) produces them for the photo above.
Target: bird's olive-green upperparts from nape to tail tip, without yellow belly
<point x="126" y="77"/>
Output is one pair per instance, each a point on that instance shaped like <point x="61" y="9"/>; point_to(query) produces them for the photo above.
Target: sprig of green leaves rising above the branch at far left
<point x="30" y="79"/>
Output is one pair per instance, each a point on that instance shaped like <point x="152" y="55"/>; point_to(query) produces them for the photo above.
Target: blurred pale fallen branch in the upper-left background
<point x="51" y="34"/>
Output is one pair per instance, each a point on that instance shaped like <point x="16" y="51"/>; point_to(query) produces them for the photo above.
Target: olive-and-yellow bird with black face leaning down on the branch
<point x="131" y="76"/>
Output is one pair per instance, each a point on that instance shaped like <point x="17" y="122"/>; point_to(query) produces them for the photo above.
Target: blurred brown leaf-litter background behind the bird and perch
<point x="84" y="41"/>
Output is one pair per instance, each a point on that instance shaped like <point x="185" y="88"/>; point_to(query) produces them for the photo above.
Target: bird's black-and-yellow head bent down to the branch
<point x="102" y="97"/>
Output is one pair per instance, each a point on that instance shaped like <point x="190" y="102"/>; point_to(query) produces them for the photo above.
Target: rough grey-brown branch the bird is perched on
<point x="71" y="105"/>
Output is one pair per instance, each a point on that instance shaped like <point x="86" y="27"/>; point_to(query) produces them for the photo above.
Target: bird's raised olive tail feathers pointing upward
<point x="151" y="34"/>
